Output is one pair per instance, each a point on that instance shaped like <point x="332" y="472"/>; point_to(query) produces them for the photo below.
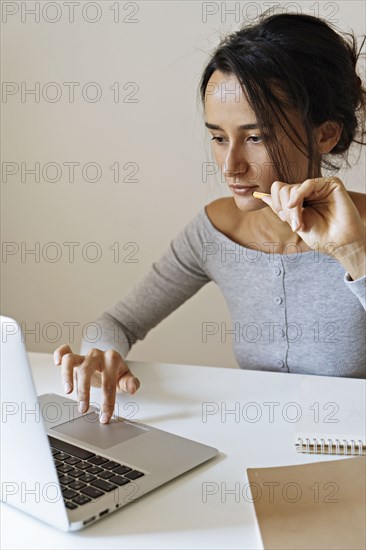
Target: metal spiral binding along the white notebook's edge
<point x="331" y="446"/>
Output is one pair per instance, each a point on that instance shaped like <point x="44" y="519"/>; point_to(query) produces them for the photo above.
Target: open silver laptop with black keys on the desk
<point x="66" y="468"/>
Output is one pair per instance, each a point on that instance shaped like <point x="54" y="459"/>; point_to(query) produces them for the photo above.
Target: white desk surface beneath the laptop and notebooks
<point x="177" y="515"/>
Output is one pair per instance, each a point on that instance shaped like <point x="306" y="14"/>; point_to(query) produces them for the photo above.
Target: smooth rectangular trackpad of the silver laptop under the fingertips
<point x="88" y="429"/>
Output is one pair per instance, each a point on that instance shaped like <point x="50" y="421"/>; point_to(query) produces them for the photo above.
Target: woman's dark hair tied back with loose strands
<point x="315" y="69"/>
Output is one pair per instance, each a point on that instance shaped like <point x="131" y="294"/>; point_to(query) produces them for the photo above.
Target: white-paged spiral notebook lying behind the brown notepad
<point x="333" y="416"/>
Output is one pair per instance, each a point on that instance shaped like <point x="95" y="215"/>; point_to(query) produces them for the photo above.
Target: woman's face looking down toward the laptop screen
<point x="240" y="153"/>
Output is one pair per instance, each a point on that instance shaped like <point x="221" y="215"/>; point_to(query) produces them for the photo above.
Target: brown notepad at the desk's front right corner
<point x="311" y="506"/>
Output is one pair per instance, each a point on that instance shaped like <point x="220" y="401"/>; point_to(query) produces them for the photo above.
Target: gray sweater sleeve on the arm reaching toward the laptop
<point x="171" y="280"/>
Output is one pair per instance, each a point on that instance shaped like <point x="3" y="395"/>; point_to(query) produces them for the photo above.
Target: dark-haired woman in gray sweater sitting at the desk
<point x="281" y="99"/>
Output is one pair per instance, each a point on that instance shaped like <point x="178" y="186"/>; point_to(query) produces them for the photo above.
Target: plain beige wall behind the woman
<point x="161" y="133"/>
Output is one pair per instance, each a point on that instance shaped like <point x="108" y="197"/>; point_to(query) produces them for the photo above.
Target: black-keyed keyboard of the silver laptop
<point x="85" y="476"/>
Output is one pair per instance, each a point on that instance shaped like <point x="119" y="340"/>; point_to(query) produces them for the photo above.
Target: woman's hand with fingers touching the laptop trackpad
<point x="105" y="369"/>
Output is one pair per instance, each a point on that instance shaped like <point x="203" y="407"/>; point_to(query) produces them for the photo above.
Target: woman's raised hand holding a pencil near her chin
<point x="330" y="220"/>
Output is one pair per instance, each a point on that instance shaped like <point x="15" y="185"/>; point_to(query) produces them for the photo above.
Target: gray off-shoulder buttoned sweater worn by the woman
<point x="294" y="312"/>
